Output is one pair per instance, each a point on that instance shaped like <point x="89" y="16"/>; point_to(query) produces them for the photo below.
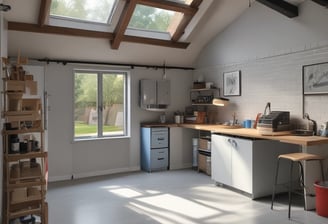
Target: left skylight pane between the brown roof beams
<point x="99" y="11"/>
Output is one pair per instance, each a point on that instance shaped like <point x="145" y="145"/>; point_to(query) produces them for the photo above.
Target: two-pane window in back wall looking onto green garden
<point x="100" y="104"/>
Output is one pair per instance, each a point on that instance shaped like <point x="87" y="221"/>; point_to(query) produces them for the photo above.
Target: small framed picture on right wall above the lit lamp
<point x="231" y="83"/>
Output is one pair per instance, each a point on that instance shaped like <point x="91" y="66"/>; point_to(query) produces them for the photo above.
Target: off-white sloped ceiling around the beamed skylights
<point x="219" y="15"/>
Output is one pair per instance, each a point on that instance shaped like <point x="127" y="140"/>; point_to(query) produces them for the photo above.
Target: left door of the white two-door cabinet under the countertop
<point x="221" y="159"/>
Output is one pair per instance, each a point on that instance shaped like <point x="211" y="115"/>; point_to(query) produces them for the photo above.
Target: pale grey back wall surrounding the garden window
<point x="88" y="158"/>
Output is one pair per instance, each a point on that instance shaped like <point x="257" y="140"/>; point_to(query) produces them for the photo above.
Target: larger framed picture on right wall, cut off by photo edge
<point x="315" y="79"/>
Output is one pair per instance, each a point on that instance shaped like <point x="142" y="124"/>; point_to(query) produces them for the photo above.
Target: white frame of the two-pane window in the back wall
<point x="127" y="104"/>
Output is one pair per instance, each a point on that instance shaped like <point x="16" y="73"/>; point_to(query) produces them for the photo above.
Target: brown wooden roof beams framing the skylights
<point x="119" y="34"/>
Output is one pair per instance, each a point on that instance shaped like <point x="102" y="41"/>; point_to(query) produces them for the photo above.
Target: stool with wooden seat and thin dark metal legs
<point x="299" y="158"/>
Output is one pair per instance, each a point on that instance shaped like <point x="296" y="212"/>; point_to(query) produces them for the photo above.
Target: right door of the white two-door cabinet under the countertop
<point x="241" y="159"/>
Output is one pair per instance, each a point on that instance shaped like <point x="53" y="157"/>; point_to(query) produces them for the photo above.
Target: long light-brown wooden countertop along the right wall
<point x="253" y="133"/>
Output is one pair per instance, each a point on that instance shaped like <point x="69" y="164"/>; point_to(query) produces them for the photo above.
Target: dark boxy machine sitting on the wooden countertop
<point x="275" y="121"/>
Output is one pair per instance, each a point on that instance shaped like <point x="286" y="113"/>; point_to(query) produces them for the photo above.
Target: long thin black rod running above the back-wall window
<point x="132" y="66"/>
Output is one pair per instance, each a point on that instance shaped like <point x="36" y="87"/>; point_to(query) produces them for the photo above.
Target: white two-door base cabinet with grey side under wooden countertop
<point x="247" y="165"/>
